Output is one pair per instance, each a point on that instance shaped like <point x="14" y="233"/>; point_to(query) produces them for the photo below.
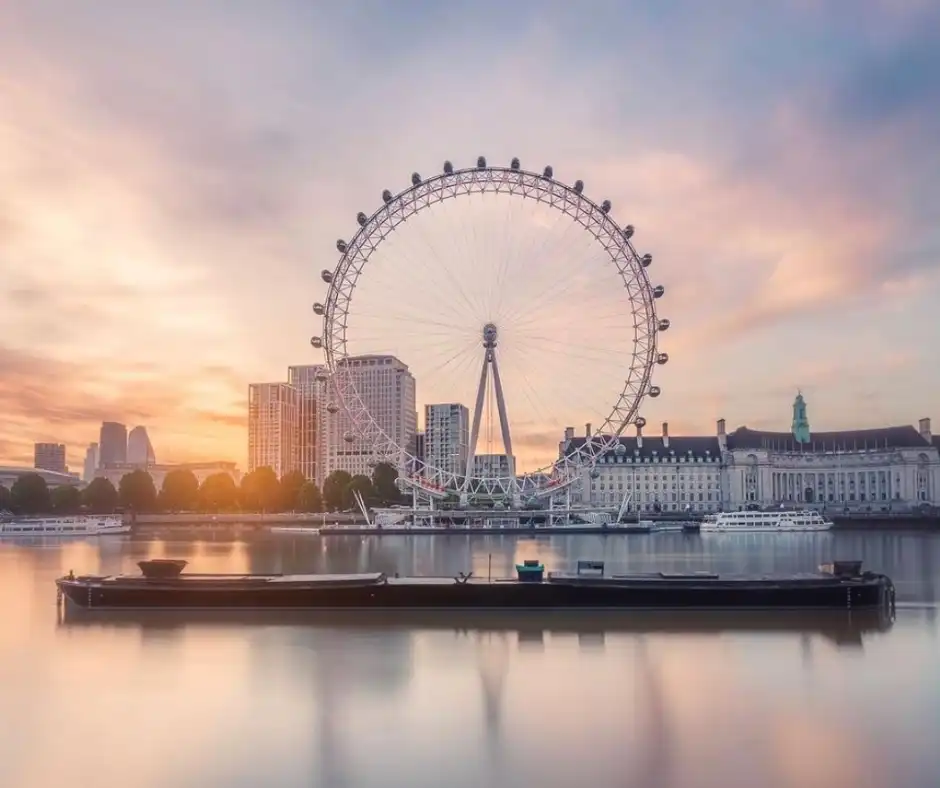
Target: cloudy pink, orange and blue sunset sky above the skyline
<point x="175" y="176"/>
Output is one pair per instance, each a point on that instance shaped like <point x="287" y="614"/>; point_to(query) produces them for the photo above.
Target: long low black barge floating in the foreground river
<point x="162" y="584"/>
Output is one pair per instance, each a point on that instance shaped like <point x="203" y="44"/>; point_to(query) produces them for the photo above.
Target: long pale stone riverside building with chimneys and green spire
<point x="871" y="470"/>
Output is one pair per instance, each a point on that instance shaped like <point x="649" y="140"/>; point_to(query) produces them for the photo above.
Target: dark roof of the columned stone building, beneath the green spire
<point x="906" y="437"/>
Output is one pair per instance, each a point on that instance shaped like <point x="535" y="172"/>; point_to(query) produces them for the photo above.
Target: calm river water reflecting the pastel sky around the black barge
<point x="640" y="700"/>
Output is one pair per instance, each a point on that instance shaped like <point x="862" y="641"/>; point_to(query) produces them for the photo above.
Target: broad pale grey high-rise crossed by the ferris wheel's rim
<point x="387" y="390"/>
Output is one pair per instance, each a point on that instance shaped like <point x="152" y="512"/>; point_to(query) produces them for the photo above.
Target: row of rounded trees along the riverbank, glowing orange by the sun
<point x="259" y="491"/>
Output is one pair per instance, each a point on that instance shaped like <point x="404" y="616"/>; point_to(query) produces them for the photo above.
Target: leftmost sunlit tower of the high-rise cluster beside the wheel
<point x="273" y="427"/>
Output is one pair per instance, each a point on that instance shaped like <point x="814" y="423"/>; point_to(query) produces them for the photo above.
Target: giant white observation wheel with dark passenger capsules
<point x="514" y="323"/>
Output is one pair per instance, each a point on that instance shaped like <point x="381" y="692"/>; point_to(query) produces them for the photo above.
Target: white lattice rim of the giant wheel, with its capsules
<point x="513" y="181"/>
